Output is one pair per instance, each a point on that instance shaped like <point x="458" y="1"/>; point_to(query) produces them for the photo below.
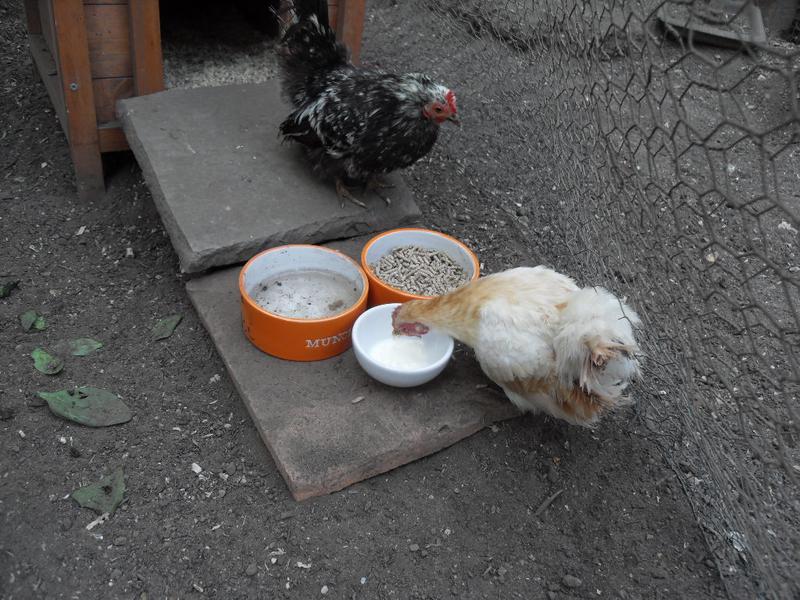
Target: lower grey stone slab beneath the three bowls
<point x="321" y="441"/>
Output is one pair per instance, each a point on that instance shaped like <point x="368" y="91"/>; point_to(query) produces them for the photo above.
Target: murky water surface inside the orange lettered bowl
<point x="306" y="294"/>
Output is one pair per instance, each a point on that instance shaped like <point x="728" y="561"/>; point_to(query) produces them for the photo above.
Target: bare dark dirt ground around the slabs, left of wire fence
<point x="464" y="523"/>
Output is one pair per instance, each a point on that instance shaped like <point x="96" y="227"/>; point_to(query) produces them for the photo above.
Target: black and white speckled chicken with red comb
<point x="355" y="123"/>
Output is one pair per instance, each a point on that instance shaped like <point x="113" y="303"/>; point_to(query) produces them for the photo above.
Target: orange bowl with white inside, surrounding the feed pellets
<point x="382" y="244"/>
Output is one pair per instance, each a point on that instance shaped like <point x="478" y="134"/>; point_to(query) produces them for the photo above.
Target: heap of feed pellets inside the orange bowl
<point x="421" y="271"/>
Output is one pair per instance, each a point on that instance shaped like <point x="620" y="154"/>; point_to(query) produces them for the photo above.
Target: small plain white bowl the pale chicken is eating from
<point x="375" y="325"/>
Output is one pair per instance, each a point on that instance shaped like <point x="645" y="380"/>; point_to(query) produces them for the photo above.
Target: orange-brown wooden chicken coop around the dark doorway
<point x="91" y="53"/>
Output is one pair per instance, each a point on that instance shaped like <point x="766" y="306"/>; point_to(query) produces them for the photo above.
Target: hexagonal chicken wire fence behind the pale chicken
<point x="665" y="170"/>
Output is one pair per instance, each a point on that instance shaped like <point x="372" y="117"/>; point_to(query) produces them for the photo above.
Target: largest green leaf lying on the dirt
<point x="88" y="406"/>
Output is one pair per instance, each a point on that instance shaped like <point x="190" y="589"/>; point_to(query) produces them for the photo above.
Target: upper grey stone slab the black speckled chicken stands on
<point x="226" y="187"/>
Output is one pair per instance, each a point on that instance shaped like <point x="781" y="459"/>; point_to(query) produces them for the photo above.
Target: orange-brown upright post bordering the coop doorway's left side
<point x="145" y="36"/>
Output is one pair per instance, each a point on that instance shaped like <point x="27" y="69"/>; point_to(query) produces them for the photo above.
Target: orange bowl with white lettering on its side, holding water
<point x="299" y="302"/>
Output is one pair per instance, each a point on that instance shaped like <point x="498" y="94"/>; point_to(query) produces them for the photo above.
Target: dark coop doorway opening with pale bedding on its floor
<point x="208" y="43"/>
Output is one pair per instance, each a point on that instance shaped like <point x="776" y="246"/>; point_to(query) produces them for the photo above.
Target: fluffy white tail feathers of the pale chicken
<point x="595" y="348"/>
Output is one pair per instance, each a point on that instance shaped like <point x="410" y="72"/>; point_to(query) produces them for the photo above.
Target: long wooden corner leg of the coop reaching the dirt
<point x="72" y="59"/>
